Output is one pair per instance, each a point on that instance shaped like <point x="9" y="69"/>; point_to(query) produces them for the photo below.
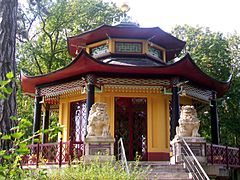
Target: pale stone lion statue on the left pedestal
<point x="98" y="120"/>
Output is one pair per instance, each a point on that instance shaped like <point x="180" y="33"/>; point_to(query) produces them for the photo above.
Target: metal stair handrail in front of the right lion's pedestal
<point x="192" y="164"/>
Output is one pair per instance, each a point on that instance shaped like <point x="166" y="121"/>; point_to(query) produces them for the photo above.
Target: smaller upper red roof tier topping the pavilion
<point x="156" y="35"/>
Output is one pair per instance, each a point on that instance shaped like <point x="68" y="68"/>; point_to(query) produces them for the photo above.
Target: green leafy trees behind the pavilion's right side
<point x="218" y="56"/>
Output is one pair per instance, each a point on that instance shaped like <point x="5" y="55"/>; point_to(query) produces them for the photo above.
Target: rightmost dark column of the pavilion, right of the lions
<point x="214" y="119"/>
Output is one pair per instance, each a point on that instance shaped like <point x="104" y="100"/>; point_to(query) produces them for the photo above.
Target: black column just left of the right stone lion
<point x="175" y="110"/>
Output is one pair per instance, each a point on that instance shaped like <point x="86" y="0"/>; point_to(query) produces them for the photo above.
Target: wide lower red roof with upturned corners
<point x="86" y="64"/>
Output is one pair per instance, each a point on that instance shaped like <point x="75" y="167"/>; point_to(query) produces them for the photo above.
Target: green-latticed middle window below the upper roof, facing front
<point x="128" y="47"/>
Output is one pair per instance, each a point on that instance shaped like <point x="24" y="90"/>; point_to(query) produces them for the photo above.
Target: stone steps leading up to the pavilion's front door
<point x="162" y="170"/>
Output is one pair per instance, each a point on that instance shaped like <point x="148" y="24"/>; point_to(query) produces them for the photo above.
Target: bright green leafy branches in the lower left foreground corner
<point x="10" y="167"/>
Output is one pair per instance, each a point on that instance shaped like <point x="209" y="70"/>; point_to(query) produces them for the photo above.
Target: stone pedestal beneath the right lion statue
<point x="196" y="144"/>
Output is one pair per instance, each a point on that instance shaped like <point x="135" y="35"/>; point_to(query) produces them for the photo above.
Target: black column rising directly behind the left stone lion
<point x="90" y="93"/>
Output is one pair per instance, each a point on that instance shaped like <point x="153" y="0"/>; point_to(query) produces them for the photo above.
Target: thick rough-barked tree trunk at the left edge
<point x="8" y="27"/>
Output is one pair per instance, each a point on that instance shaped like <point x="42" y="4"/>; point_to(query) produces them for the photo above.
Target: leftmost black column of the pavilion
<point x="37" y="115"/>
